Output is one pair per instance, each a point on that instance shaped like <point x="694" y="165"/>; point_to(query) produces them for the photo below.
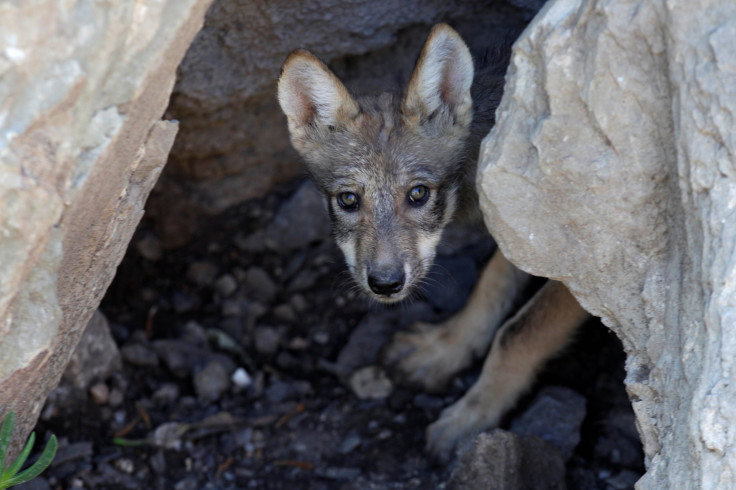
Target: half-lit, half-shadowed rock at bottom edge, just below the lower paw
<point x="502" y="460"/>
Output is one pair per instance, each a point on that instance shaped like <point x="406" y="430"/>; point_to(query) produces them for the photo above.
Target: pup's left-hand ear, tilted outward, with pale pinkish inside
<point x="310" y="93"/>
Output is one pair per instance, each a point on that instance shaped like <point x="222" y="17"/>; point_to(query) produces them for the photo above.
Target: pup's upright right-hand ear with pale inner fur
<point x="442" y="78"/>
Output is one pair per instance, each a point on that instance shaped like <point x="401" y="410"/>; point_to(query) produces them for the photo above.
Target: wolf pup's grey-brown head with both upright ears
<point x="389" y="167"/>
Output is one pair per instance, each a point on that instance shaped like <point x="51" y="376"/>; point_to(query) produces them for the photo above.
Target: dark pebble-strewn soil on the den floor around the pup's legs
<point x="287" y="315"/>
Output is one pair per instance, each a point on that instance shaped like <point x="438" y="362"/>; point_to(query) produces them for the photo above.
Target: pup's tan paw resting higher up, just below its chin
<point x="426" y="357"/>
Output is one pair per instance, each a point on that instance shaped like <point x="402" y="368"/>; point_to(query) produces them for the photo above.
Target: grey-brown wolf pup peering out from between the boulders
<point x="394" y="171"/>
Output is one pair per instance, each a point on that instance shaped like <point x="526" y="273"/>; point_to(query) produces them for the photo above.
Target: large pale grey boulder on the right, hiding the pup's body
<point x="611" y="168"/>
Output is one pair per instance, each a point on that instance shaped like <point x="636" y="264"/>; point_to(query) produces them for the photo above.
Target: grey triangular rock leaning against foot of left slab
<point x="96" y="356"/>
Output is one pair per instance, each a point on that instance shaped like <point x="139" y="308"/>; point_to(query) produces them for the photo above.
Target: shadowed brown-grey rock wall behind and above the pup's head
<point x="233" y="142"/>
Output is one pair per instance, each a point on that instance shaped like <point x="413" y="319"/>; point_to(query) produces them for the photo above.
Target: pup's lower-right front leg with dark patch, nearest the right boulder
<point x="523" y="344"/>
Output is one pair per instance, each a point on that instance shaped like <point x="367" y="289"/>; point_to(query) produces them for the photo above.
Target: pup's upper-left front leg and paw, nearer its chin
<point x="428" y="356"/>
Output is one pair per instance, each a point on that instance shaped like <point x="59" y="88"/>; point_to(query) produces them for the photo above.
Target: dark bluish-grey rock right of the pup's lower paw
<point x="555" y="415"/>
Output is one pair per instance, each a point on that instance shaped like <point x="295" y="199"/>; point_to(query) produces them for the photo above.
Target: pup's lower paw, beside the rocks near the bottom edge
<point x="461" y="421"/>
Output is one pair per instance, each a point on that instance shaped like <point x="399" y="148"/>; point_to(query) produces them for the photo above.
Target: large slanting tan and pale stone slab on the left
<point x="83" y="89"/>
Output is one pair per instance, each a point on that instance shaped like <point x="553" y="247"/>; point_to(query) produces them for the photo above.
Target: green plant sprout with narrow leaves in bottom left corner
<point x="11" y="477"/>
